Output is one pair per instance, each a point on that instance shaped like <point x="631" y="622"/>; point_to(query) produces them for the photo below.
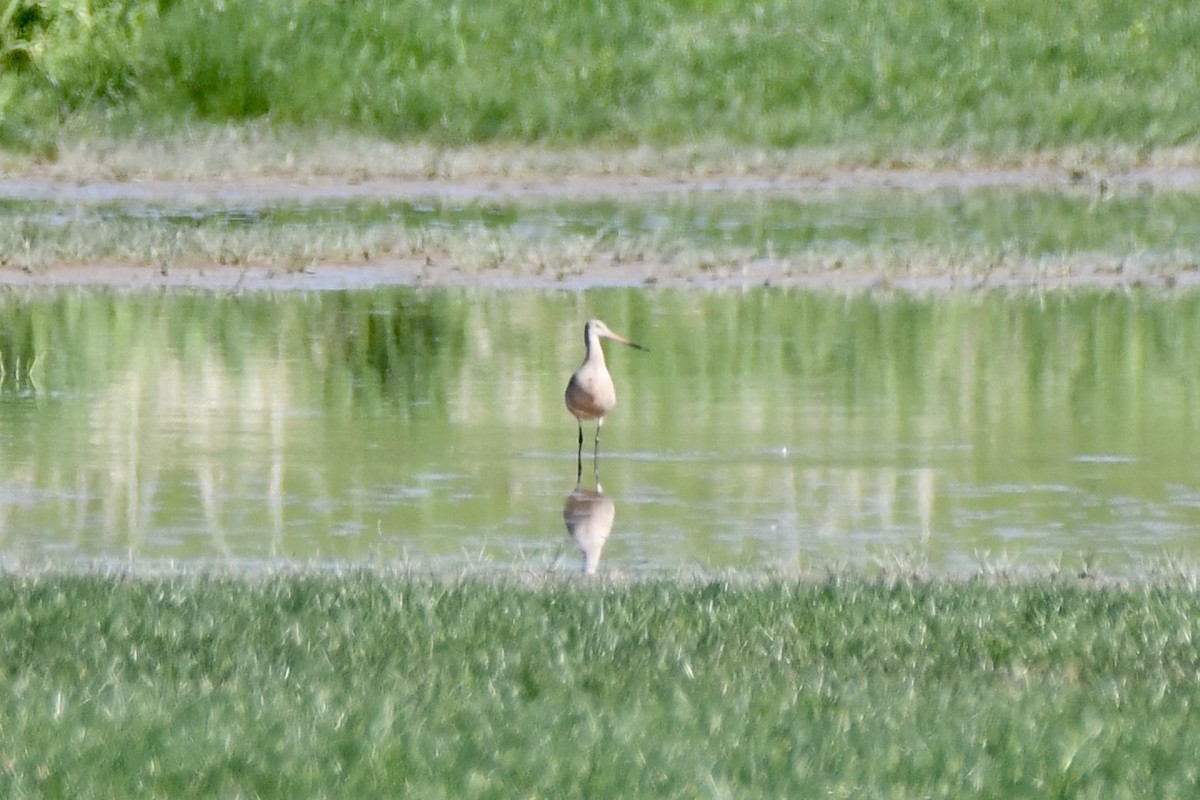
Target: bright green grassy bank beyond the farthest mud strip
<point x="868" y="81"/>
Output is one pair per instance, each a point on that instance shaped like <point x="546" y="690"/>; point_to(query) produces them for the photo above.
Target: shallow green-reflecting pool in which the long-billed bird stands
<point x="766" y="430"/>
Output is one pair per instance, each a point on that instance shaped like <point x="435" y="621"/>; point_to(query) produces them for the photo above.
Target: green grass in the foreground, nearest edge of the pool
<point x="370" y="685"/>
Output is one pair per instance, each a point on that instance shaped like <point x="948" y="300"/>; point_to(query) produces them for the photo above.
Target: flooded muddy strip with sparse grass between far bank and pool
<point x="950" y="237"/>
